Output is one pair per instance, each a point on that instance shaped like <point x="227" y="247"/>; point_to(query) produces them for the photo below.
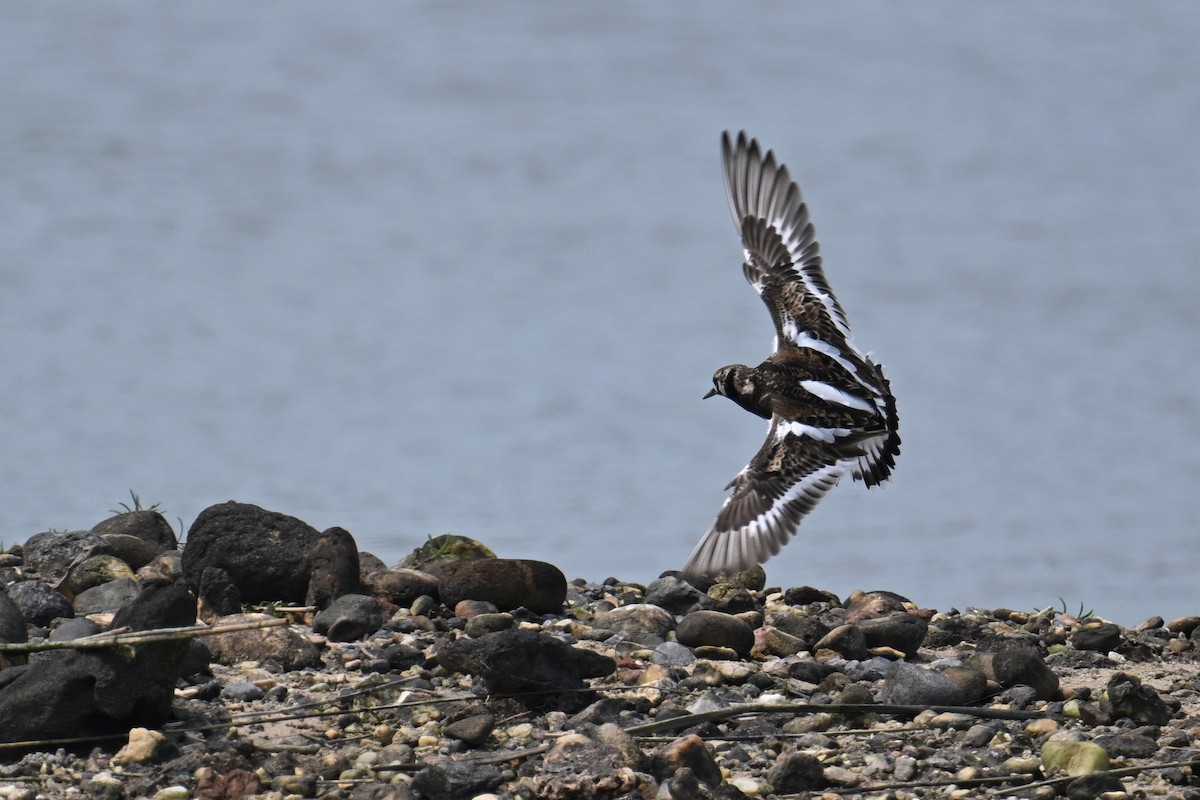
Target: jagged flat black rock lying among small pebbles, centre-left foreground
<point x="517" y="663"/>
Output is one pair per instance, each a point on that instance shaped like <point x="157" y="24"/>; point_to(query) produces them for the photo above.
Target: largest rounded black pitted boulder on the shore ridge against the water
<point x="265" y="552"/>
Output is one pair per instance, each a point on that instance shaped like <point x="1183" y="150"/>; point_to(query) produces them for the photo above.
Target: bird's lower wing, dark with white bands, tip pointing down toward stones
<point x="793" y="471"/>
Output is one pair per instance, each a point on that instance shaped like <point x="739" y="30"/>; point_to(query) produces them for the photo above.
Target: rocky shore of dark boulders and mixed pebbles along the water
<point x="319" y="672"/>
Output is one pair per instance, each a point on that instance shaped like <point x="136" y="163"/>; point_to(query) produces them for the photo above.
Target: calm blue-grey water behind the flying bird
<point x="445" y="268"/>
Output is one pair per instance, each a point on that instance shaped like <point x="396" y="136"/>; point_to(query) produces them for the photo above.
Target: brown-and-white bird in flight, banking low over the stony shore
<point x="830" y="406"/>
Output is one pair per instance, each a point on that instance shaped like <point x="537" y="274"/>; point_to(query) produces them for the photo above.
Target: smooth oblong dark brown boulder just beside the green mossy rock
<point x="509" y="584"/>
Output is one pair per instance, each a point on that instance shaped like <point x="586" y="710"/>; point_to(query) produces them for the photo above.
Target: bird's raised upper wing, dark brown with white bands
<point x="783" y="260"/>
